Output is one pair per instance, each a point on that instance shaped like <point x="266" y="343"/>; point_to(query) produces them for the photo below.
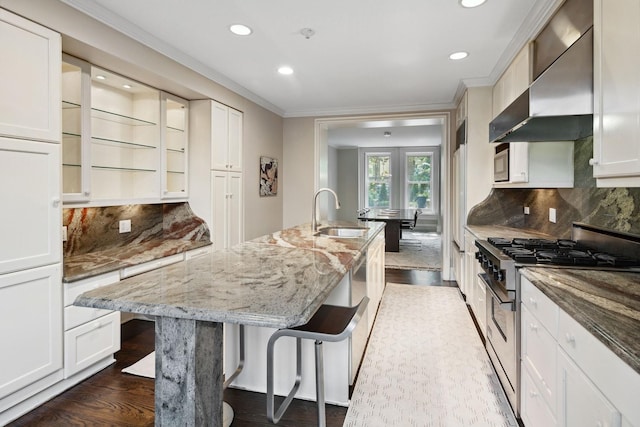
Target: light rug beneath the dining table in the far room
<point x="418" y="251"/>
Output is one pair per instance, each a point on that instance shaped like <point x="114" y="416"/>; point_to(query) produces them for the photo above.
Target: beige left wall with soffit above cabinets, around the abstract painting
<point x="98" y="44"/>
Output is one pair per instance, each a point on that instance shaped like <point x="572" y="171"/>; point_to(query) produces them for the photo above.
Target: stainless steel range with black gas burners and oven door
<point x="590" y="247"/>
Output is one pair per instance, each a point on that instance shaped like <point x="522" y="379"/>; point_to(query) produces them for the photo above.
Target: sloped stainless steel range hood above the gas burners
<point x="558" y="106"/>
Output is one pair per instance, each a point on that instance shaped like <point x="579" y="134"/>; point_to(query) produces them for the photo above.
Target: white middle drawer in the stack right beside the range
<point x="538" y="351"/>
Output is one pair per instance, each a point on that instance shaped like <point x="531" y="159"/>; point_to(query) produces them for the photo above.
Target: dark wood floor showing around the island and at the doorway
<point x="113" y="398"/>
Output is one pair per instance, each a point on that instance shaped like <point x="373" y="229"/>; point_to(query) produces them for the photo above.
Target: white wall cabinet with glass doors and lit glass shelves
<point x="123" y="141"/>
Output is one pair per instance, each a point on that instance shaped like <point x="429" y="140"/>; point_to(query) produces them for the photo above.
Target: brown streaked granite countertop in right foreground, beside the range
<point x="606" y="303"/>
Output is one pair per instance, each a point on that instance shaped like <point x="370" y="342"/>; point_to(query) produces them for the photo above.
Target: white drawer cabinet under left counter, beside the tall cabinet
<point x="90" y="335"/>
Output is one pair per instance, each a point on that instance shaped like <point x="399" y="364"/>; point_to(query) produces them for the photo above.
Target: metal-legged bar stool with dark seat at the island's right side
<point x="330" y="323"/>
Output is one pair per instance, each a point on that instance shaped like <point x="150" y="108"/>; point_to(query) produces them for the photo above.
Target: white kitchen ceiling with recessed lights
<point x="367" y="56"/>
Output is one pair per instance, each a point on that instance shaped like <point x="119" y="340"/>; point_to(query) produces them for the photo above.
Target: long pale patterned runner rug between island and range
<point x="425" y="366"/>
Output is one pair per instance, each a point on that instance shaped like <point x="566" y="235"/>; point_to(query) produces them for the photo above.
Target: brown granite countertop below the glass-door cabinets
<point x="78" y="267"/>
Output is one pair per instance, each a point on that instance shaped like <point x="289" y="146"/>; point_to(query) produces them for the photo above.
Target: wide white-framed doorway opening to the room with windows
<point x="395" y="161"/>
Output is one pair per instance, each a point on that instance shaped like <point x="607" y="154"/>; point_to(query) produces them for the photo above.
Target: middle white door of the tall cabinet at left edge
<point x="31" y="221"/>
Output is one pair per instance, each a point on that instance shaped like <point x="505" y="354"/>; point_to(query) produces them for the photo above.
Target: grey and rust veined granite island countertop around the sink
<point x="277" y="280"/>
